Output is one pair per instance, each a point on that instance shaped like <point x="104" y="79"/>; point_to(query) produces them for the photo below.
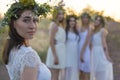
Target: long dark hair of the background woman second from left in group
<point x="68" y="25"/>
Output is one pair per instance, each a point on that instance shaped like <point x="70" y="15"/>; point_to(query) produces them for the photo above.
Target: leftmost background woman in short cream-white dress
<point x="56" y="52"/>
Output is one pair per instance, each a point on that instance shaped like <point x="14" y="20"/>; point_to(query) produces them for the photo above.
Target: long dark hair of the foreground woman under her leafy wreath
<point x="14" y="40"/>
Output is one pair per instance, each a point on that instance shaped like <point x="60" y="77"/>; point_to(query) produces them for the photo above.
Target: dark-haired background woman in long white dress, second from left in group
<point x="72" y="39"/>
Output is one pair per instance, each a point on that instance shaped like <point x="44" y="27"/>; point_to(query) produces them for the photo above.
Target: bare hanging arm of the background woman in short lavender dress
<point x="86" y="43"/>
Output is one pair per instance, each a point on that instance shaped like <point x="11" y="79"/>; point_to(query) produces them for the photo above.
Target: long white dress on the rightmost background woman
<point x="101" y="68"/>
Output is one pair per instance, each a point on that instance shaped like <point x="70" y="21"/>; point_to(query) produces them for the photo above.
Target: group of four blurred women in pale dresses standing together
<point x="78" y="52"/>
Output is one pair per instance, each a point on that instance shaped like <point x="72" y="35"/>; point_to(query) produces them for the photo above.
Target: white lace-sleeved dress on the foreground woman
<point x="26" y="56"/>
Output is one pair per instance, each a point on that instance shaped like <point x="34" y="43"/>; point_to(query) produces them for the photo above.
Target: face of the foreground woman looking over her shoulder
<point x="26" y="25"/>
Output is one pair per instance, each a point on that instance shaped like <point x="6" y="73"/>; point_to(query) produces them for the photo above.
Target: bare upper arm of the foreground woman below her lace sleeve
<point x="29" y="73"/>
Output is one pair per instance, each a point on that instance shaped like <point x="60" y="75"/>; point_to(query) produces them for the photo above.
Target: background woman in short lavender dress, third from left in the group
<point x="84" y="46"/>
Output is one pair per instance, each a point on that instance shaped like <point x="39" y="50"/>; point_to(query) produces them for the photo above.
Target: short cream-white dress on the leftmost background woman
<point x="60" y="38"/>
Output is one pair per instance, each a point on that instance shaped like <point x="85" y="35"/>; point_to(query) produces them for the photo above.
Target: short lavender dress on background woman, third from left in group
<point x="84" y="66"/>
